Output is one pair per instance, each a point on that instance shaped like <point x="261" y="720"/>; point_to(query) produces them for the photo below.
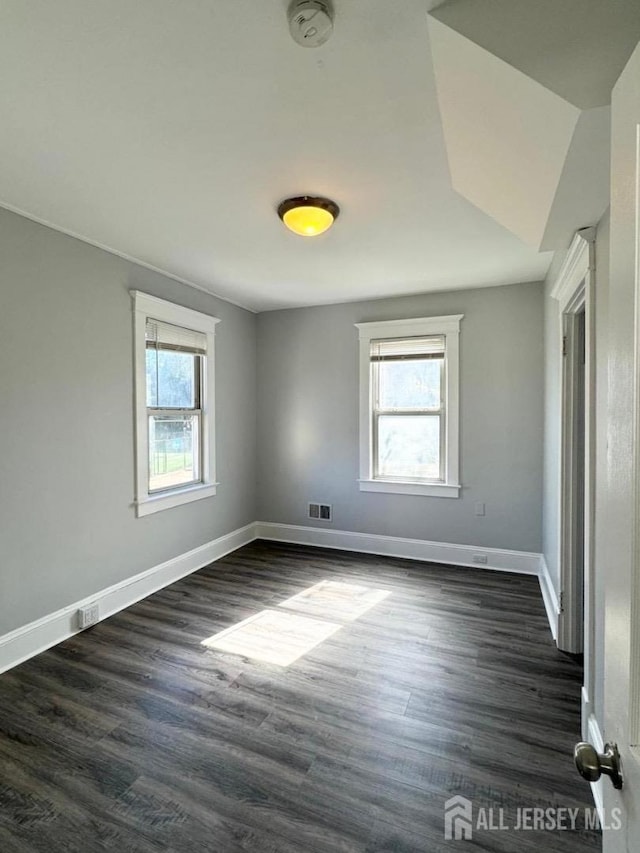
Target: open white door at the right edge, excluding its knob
<point x="622" y="490"/>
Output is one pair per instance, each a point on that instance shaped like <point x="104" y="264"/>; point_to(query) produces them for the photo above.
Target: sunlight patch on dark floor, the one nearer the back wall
<point x="333" y="600"/>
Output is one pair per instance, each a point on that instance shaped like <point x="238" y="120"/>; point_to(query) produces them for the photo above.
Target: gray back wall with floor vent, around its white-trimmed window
<point x="308" y="419"/>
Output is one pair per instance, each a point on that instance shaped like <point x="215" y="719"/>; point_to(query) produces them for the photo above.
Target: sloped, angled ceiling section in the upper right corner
<point x="524" y="90"/>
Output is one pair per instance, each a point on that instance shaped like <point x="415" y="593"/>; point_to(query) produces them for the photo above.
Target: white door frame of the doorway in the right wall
<point x="574" y="292"/>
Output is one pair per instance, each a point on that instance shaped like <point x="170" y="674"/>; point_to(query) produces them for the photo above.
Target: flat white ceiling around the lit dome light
<point x="169" y="132"/>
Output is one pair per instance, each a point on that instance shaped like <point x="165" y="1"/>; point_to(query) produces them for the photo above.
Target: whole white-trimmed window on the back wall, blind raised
<point x="409" y="406"/>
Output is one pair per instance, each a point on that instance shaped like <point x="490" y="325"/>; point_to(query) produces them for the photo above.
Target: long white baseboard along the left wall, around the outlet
<point x="25" y="642"/>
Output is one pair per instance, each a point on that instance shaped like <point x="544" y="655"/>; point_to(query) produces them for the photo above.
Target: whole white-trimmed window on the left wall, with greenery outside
<point x="174" y="383"/>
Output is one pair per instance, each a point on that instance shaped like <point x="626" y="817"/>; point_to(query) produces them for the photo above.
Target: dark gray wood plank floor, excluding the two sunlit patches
<point x="133" y="737"/>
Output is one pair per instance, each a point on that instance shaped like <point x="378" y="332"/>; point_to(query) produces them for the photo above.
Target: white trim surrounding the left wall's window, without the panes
<point x="147" y="306"/>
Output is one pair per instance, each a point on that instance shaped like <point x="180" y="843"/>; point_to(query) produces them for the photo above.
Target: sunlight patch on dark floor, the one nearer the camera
<point x="273" y="636"/>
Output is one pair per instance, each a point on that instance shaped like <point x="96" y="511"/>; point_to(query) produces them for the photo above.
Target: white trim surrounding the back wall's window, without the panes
<point x="448" y="326"/>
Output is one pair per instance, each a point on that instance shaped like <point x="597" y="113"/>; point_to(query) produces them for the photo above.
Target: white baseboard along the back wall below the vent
<point x="521" y="562"/>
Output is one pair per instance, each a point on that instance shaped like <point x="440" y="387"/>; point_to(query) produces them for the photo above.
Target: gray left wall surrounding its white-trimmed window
<point x="67" y="524"/>
